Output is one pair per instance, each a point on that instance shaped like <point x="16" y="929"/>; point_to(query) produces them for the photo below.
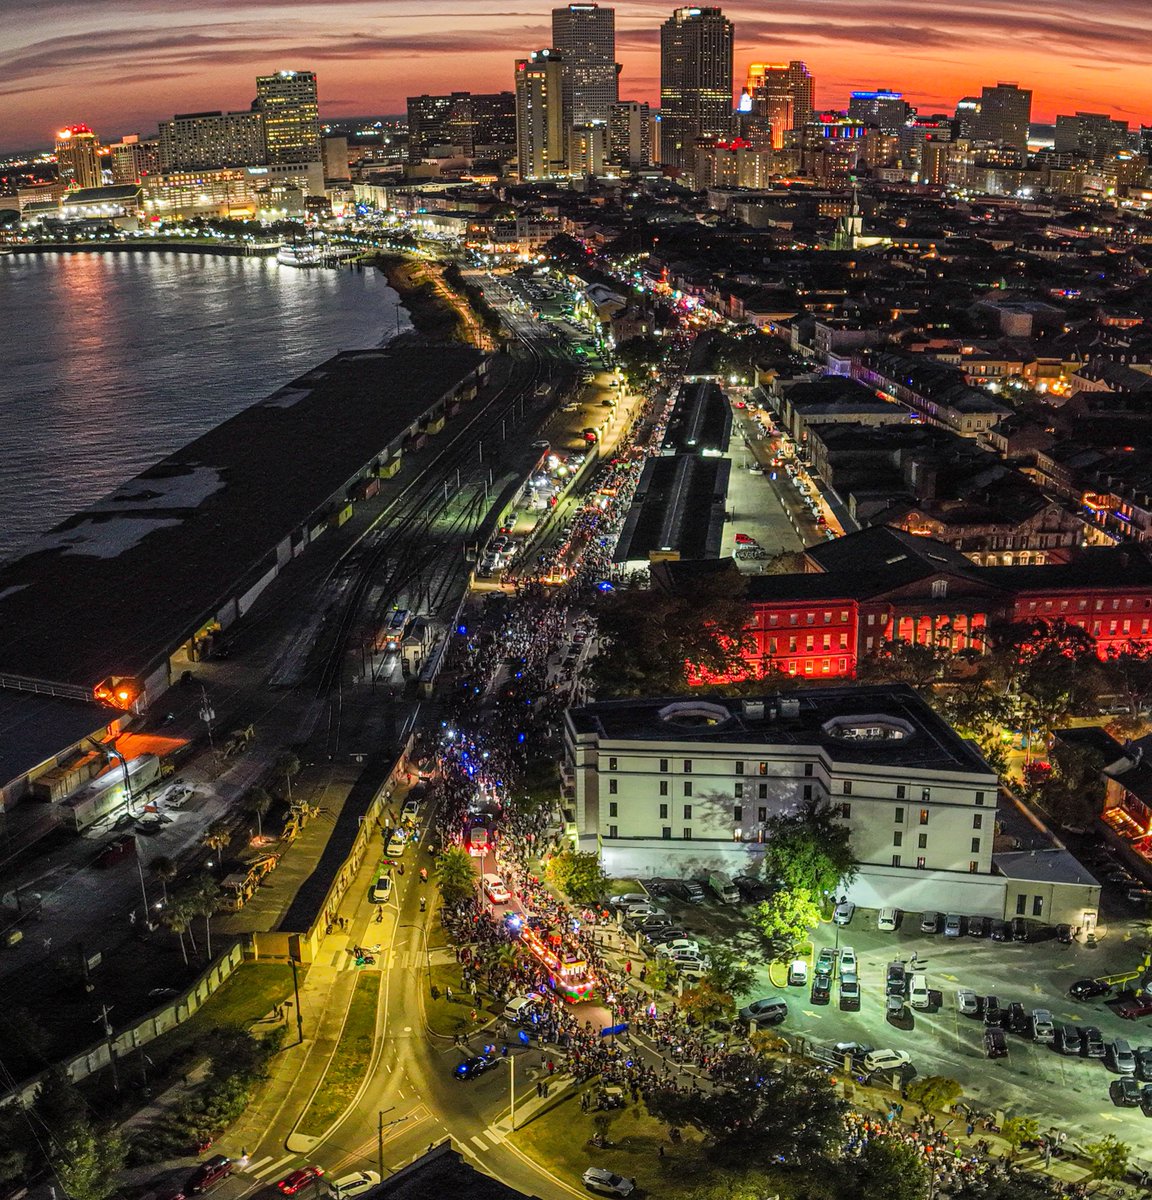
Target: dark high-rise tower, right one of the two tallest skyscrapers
<point x="695" y="83"/>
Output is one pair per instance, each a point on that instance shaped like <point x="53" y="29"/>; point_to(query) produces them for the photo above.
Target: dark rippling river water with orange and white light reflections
<point x="110" y="362"/>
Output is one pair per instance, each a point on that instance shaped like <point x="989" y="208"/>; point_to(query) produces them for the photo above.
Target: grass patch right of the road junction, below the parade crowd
<point x="561" y="1141"/>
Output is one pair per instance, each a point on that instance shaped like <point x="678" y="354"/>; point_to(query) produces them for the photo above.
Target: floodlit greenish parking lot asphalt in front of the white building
<point x="1070" y="1094"/>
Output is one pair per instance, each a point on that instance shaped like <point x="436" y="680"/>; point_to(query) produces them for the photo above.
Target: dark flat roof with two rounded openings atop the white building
<point x="815" y="717"/>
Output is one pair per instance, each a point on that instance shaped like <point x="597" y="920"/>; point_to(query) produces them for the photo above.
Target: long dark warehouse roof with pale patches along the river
<point x="117" y="589"/>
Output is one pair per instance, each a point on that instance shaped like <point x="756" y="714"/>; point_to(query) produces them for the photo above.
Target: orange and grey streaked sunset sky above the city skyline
<point x="190" y="59"/>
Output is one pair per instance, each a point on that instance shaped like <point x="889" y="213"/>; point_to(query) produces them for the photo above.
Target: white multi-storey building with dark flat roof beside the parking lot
<point x="691" y="787"/>
